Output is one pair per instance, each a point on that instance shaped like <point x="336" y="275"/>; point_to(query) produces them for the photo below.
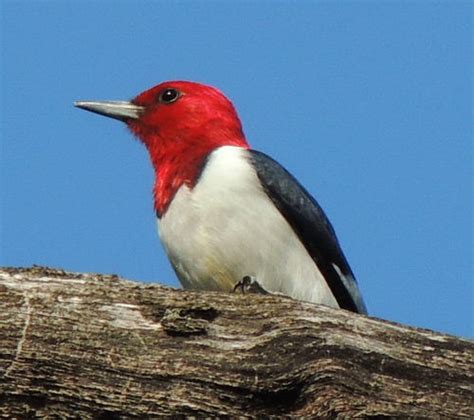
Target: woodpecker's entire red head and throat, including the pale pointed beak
<point x="180" y="123"/>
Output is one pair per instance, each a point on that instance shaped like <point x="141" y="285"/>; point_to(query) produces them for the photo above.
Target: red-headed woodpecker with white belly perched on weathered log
<point x="227" y="213"/>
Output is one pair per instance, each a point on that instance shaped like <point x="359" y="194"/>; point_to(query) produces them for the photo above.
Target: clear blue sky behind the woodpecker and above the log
<point x="368" y="104"/>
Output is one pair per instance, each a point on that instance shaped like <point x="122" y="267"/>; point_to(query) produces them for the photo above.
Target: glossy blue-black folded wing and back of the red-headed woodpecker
<point x="313" y="228"/>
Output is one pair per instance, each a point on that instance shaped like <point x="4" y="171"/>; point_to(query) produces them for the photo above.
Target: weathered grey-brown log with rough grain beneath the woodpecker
<point x="95" y="346"/>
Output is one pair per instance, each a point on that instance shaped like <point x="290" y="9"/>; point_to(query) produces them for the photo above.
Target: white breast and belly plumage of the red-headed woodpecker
<point x="227" y="228"/>
